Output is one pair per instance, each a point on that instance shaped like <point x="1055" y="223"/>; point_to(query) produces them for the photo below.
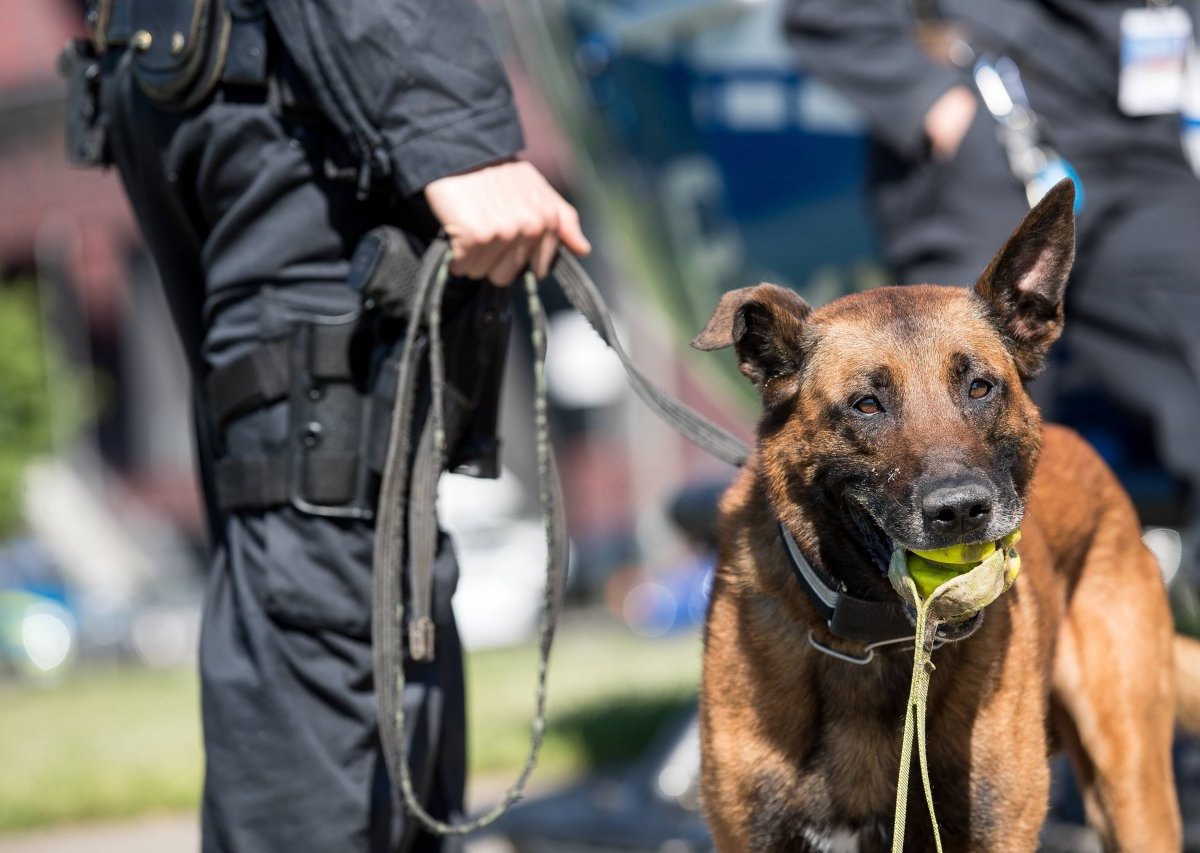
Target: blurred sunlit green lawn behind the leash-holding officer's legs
<point x="117" y="743"/>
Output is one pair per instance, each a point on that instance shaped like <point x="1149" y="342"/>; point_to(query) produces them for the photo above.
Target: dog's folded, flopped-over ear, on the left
<point x="765" y="325"/>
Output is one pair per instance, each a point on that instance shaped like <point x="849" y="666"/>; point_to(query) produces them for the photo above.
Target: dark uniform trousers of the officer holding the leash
<point x="251" y="237"/>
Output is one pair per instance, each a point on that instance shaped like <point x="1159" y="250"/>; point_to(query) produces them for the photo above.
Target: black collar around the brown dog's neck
<point x="861" y="621"/>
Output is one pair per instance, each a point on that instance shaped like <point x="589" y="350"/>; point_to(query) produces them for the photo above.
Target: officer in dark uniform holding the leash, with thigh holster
<point x="260" y="141"/>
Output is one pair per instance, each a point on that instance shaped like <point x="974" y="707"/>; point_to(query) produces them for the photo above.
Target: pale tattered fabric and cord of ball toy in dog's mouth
<point x="955" y="600"/>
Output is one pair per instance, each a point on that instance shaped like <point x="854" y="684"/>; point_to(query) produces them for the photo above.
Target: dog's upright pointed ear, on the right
<point x="1025" y="283"/>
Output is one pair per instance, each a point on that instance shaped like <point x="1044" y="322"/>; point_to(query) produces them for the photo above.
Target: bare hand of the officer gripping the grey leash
<point x="502" y="219"/>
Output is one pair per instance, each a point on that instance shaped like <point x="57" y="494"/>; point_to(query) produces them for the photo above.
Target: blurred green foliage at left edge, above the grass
<point x="25" y="400"/>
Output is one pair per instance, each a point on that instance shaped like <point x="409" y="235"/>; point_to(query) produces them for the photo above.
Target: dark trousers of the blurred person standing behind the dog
<point x="1133" y="303"/>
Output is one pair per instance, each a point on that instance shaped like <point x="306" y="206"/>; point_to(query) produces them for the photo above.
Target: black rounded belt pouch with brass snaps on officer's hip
<point x="179" y="50"/>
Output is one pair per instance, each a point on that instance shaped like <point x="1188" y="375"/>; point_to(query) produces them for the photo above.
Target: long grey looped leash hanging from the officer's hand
<point x="401" y="502"/>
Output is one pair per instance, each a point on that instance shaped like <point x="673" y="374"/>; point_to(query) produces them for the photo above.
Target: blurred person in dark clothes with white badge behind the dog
<point x="946" y="194"/>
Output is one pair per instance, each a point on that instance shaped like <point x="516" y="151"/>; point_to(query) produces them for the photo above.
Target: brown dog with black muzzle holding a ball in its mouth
<point x="899" y="418"/>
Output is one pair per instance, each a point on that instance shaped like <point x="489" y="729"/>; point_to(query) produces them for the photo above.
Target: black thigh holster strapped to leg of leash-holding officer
<point x="338" y="380"/>
